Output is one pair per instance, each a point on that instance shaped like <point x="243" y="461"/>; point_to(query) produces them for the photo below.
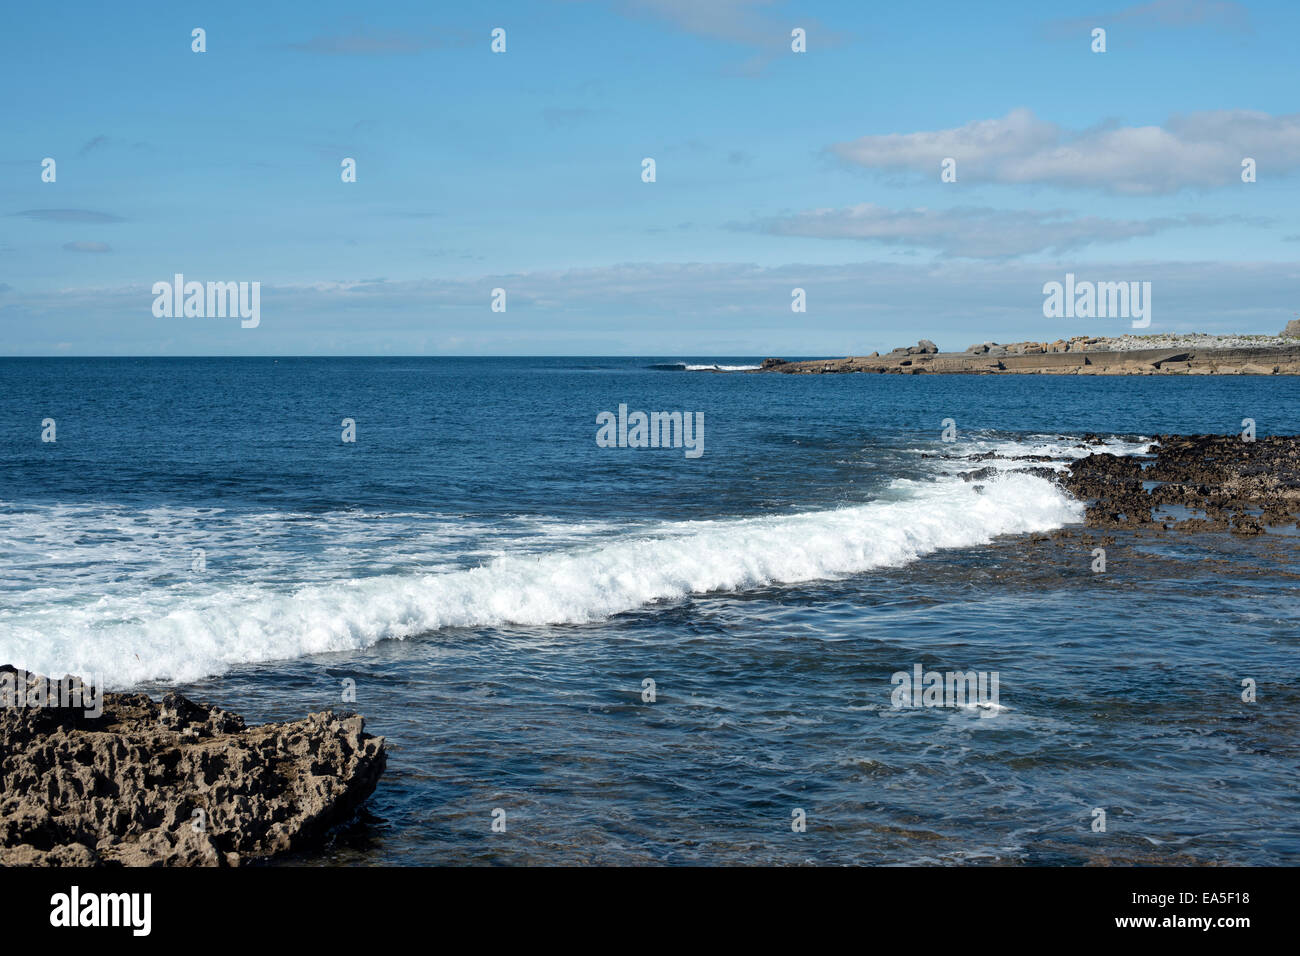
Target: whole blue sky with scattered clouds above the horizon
<point x="523" y="171"/>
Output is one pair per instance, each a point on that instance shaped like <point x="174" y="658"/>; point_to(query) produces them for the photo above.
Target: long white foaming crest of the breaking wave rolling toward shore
<point x="194" y="629"/>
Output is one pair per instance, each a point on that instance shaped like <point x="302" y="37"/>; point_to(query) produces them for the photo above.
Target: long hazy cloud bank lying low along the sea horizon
<point x="655" y="309"/>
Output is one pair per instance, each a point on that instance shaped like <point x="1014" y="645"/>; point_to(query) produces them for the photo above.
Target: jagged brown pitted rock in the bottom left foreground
<point x="171" y="784"/>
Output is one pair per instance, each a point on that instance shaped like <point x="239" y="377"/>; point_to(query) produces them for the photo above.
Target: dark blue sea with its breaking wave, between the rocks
<point x="501" y="589"/>
